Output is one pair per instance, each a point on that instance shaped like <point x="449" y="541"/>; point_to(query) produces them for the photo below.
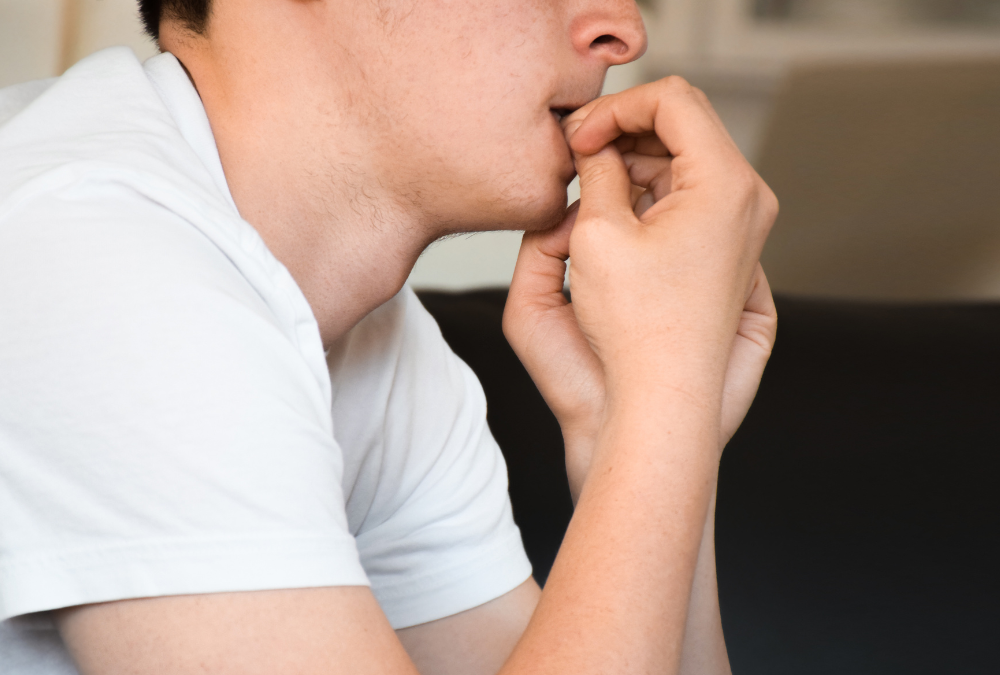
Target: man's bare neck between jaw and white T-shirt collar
<point x="305" y="182"/>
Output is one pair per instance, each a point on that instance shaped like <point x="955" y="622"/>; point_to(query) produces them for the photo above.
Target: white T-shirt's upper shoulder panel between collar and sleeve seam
<point x="100" y="122"/>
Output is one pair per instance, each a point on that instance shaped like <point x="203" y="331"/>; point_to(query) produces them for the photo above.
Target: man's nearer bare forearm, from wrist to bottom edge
<point x="617" y="597"/>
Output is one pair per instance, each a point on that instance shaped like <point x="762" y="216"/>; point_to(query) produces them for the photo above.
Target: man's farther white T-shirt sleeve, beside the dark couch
<point x="439" y="538"/>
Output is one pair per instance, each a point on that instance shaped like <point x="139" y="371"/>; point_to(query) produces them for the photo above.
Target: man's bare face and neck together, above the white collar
<point x="448" y="131"/>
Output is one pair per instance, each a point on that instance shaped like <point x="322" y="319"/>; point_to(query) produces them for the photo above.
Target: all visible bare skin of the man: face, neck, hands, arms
<point x="352" y="134"/>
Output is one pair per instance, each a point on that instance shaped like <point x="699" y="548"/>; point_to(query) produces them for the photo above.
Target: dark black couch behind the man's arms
<point x="858" y="524"/>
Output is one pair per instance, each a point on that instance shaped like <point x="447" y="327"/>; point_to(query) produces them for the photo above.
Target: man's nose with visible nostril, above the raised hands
<point x="610" y="30"/>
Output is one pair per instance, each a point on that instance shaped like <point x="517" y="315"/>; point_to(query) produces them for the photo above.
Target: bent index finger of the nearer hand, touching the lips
<point x="669" y="107"/>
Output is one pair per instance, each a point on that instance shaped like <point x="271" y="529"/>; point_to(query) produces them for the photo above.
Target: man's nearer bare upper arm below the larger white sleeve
<point x="310" y="631"/>
